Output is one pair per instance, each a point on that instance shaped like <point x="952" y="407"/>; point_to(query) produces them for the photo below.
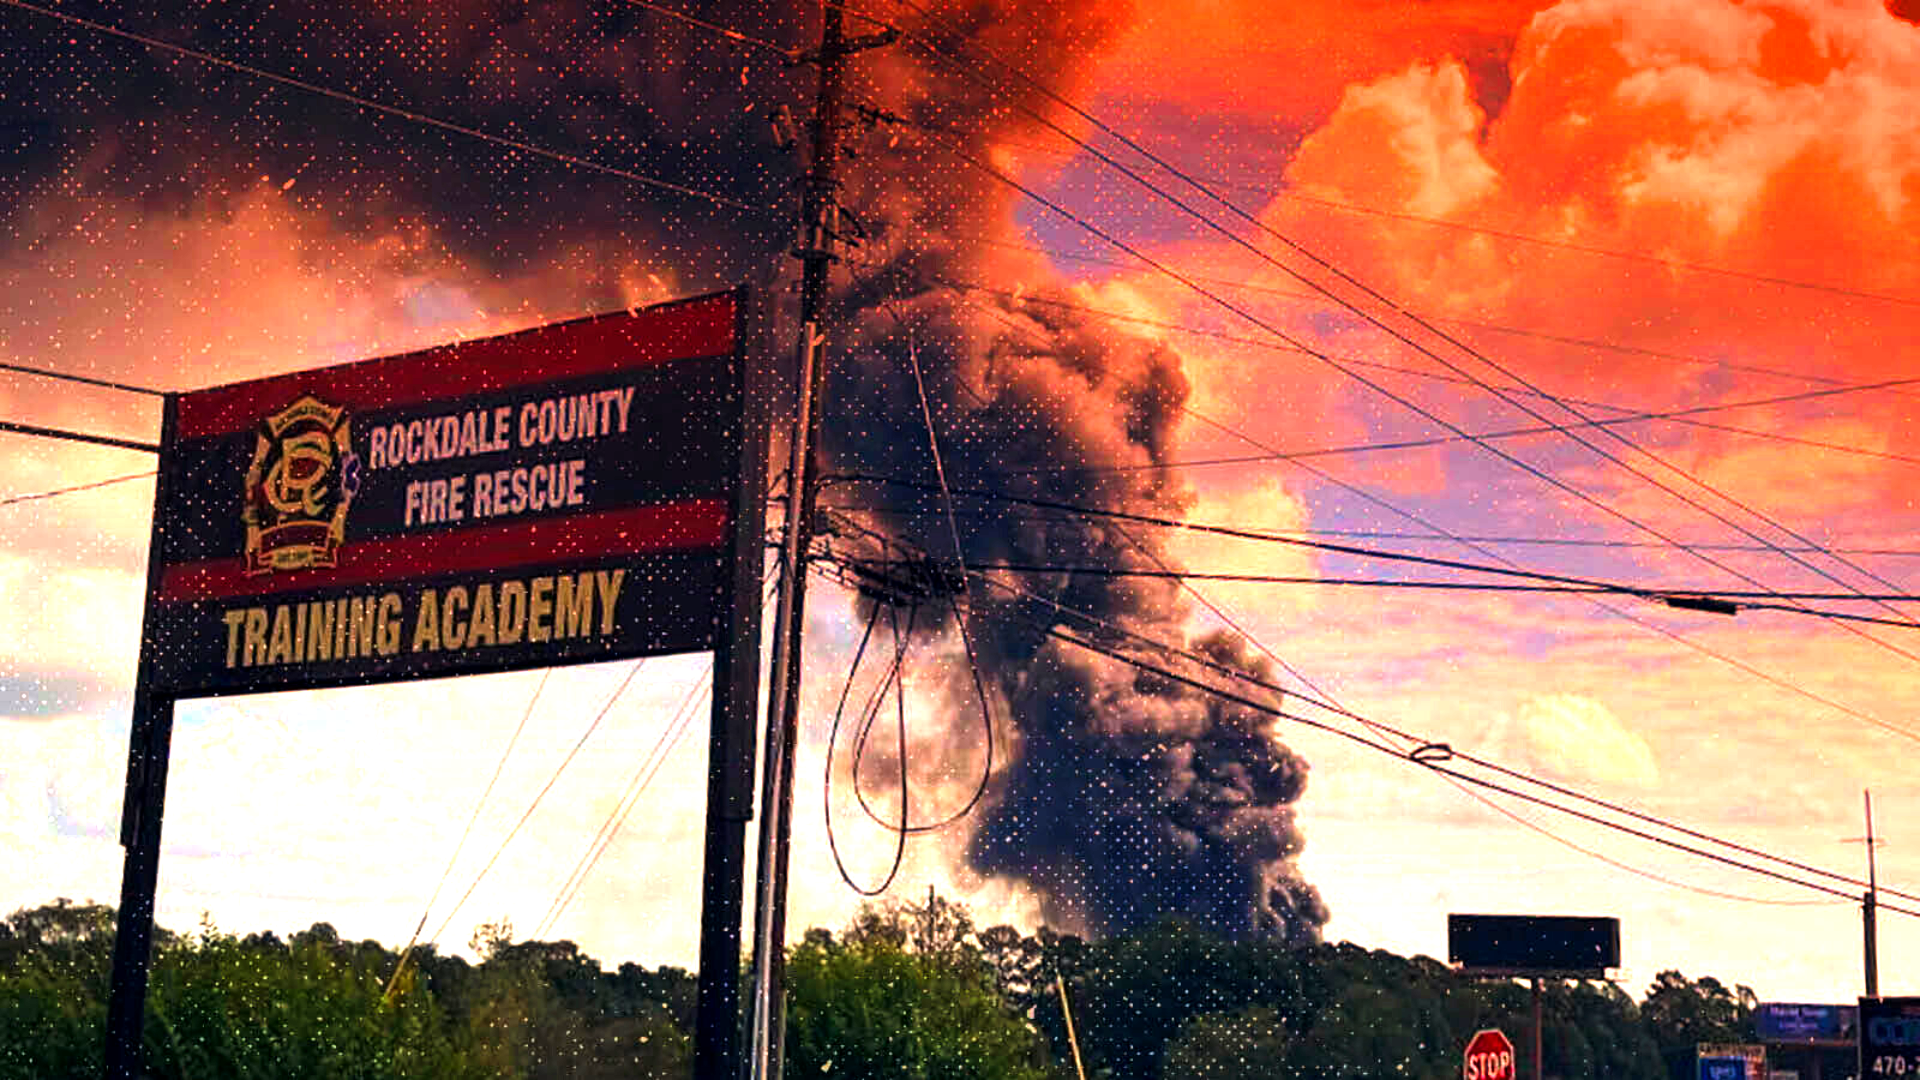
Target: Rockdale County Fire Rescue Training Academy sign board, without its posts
<point x="550" y="497"/>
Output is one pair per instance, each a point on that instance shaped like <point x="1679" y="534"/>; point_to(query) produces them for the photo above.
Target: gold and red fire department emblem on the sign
<point x="299" y="489"/>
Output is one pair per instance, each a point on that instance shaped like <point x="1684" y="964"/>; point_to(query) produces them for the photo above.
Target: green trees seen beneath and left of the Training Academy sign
<point x="316" y="1008"/>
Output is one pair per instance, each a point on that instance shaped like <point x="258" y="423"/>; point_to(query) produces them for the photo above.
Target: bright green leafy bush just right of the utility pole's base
<point x="869" y="1008"/>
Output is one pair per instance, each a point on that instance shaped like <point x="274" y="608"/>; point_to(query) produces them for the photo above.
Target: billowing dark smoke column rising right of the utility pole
<point x="1128" y="797"/>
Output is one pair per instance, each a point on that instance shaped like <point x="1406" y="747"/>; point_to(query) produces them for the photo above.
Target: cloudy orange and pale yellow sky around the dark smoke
<point x="1775" y="141"/>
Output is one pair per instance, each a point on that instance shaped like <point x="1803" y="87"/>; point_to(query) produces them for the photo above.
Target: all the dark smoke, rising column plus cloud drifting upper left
<point x="1124" y="797"/>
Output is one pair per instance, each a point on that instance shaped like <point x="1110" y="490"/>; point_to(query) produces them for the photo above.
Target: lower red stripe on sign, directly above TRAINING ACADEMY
<point x="663" y="528"/>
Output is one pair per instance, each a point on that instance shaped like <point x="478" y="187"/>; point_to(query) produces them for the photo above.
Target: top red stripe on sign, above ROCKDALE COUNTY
<point x="544" y="355"/>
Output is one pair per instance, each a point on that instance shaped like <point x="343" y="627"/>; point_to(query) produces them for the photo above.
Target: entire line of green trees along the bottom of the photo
<point x="903" y="993"/>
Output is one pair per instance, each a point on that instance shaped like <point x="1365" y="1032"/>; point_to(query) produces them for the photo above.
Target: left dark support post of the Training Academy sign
<point x="141" y="812"/>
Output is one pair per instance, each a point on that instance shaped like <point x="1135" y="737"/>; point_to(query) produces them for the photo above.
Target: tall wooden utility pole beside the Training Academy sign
<point x="819" y="218"/>
